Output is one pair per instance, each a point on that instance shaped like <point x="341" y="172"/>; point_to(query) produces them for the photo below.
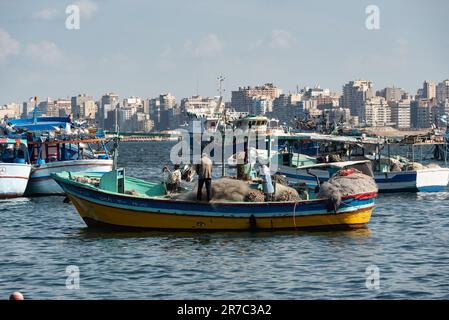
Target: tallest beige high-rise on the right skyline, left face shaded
<point x="355" y="93"/>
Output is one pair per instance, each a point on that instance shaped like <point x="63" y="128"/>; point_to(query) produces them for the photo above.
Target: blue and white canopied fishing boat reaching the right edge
<point x="410" y="179"/>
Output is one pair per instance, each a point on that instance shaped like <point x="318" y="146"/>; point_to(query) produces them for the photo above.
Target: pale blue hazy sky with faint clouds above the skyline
<point x="145" y="48"/>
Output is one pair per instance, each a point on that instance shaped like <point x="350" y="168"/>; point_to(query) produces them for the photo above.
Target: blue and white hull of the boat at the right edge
<point x="426" y="180"/>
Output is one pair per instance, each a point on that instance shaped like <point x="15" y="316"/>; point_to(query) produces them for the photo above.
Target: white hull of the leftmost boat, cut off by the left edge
<point x="13" y="179"/>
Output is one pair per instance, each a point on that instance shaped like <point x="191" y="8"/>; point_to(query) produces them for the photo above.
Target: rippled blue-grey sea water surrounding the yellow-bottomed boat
<point x="407" y="240"/>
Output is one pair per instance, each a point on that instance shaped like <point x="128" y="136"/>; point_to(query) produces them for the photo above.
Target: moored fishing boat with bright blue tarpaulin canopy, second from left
<point x="56" y="144"/>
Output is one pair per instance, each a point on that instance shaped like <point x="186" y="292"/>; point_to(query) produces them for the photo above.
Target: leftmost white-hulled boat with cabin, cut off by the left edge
<point x="14" y="167"/>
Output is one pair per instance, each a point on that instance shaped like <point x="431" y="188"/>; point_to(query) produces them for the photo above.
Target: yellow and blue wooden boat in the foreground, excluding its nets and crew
<point x="115" y="201"/>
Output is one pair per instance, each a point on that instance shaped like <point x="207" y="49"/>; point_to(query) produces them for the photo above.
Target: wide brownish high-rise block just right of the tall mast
<point x="242" y="99"/>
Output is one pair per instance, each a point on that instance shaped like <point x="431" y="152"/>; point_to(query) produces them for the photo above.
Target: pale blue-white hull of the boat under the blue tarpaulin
<point x="41" y="183"/>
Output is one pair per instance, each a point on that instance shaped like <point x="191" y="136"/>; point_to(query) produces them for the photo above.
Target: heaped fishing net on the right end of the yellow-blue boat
<point x="343" y="183"/>
